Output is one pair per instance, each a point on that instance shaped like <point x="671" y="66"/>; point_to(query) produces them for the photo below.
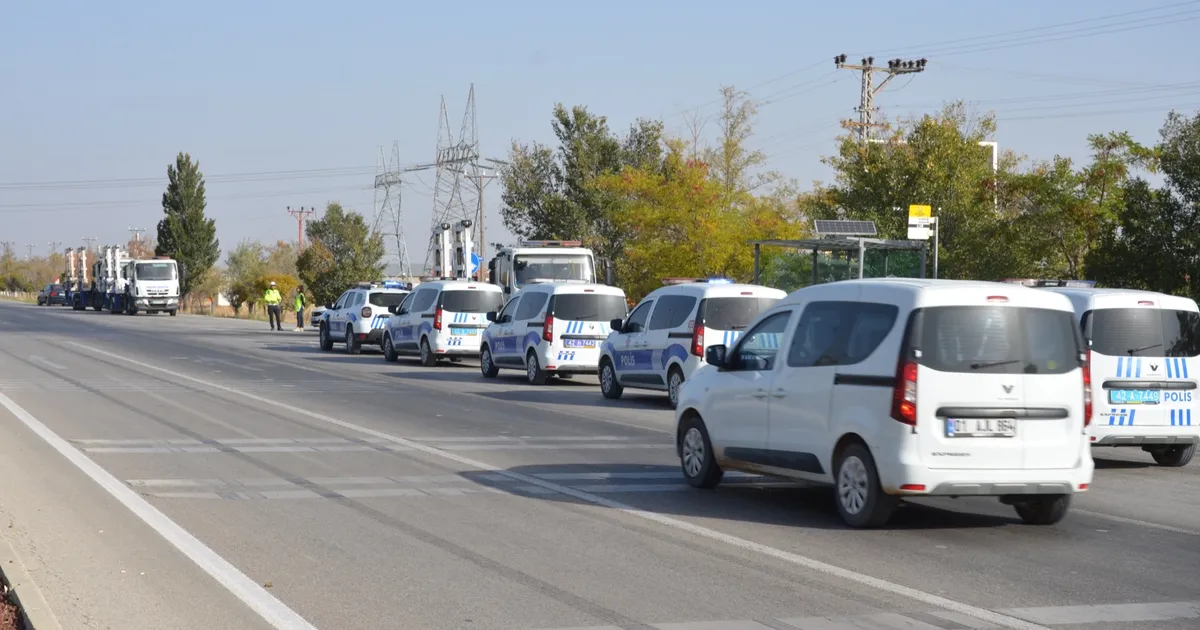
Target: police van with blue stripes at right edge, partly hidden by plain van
<point x="1143" y="352"/>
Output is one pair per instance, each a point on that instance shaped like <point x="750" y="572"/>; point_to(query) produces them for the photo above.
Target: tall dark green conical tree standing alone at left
<point x="185" y="233"/>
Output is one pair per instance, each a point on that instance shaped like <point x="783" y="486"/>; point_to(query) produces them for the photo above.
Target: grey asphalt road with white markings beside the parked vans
<point x="203" y="473"/>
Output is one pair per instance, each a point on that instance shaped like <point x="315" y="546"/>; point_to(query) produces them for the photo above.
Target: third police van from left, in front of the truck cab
<point x="551" y="329"/>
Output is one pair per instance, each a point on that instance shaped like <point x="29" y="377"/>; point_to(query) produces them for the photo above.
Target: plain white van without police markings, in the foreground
<point x="901" y="388"/>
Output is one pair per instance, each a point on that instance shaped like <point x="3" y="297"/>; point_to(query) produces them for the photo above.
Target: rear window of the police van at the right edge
<point x="1143" y="333"/>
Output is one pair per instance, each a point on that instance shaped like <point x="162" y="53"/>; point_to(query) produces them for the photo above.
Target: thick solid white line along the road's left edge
<point x="274" y="611"/>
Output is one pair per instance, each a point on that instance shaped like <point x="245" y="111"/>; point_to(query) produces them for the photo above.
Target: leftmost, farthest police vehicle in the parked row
<point x="359" y="315"/>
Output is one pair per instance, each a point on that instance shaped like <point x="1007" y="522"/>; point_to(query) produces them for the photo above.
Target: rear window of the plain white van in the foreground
<point x="998" y="340"/>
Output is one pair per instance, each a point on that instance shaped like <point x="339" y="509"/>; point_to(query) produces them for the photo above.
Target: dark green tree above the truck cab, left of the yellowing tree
<point x="553" y="194"/>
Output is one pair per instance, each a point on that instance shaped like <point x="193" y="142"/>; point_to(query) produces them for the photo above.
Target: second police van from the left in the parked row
<point x="440" y="320"/>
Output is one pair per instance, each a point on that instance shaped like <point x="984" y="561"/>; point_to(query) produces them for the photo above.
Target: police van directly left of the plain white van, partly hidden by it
<point x="663" y="340"/>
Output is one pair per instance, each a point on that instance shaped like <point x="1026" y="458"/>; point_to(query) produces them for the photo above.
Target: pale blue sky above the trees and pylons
<point x="105" y="94"/>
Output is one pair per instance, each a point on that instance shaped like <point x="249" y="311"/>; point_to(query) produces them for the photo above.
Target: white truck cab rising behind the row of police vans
<point x="545" y="261"/>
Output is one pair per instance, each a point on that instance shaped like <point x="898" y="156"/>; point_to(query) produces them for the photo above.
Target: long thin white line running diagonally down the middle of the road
<point x="704" y="532"/>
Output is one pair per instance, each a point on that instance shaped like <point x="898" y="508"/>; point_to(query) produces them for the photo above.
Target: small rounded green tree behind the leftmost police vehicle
<point x="344" y="250"/>
